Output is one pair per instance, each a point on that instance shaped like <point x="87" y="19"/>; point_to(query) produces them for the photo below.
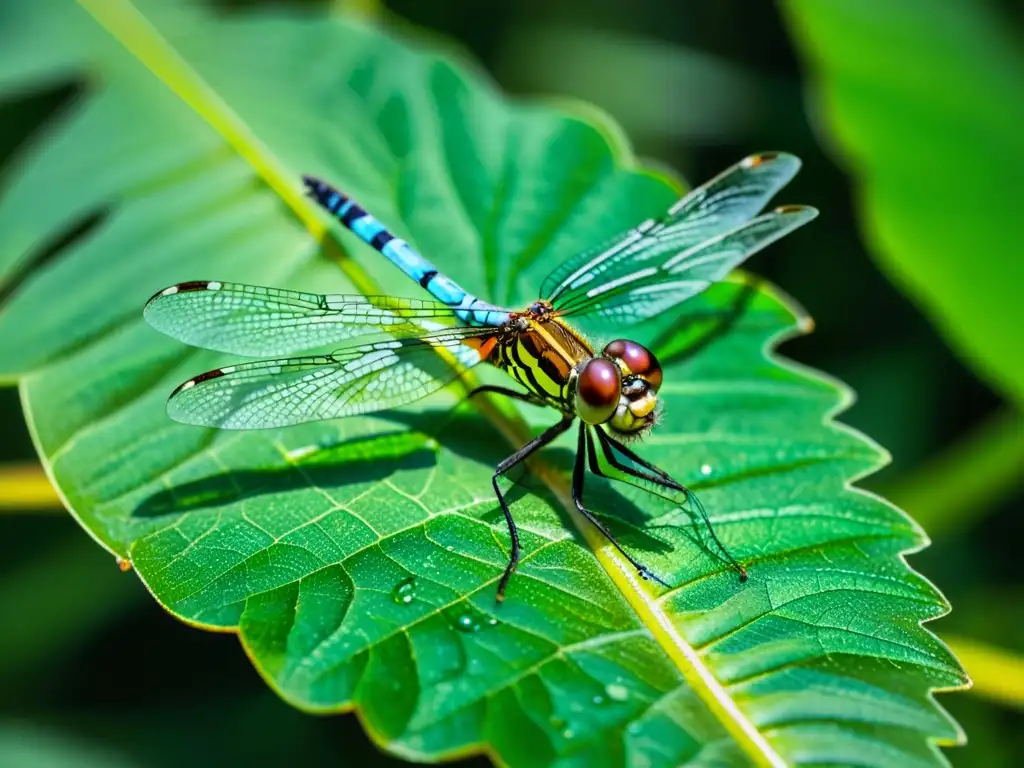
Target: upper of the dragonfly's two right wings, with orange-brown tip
<point x="728" y="202"/>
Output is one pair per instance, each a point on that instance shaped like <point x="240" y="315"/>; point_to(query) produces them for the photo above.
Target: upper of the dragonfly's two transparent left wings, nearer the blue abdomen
<point x="255" y="322"/>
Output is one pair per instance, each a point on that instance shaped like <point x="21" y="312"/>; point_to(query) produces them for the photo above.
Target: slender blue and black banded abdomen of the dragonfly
<point x="466" y="307"/>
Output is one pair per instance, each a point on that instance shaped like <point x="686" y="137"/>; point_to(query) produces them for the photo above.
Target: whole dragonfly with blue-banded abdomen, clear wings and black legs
<point x="393" y="352"/>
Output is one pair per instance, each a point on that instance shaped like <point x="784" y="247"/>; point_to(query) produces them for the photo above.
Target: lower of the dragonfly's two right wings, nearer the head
<point x="652" y="290"/>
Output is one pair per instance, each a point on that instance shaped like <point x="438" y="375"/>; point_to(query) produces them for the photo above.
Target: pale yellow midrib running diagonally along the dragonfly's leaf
<point x="131" y="29"/>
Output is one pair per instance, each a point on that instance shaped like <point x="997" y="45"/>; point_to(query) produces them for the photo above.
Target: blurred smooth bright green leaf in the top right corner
<point x="923" y="103"/>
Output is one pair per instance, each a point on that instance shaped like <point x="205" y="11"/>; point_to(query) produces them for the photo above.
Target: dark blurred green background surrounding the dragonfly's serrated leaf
<point x="913" y="275"/>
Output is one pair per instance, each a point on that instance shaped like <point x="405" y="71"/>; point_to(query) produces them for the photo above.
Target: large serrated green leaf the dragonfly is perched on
<point x="358" y="560"/>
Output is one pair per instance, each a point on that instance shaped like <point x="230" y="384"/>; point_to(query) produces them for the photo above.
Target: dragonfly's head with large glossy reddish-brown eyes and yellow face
<point x="620" y="389"/>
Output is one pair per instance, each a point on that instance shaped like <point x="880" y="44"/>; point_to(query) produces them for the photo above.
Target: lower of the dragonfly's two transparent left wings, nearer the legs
<point x="359" y="379"/>
